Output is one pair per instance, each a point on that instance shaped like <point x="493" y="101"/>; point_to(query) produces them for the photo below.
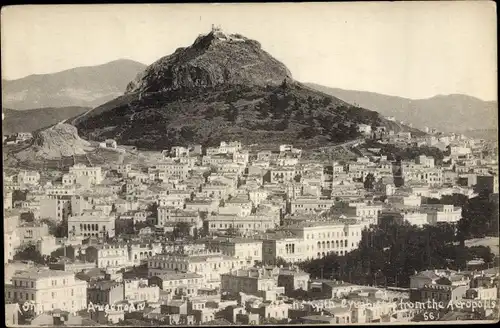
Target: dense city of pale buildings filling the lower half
<point x="200" y="235"/>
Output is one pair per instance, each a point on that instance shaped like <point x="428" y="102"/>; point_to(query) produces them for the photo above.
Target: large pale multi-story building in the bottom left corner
<point x="48" y="290"/>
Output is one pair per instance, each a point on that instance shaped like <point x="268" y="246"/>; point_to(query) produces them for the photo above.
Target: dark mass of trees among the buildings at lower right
<point x="391" y="253"/>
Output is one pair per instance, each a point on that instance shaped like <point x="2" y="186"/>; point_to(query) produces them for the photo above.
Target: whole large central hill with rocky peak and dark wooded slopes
<point x="222" y="87"/>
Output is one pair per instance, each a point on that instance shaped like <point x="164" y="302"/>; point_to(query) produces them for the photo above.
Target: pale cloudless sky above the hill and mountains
<point x="408" y="49"/>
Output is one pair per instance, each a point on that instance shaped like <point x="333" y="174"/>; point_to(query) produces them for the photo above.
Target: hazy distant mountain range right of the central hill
<point x="448" y="113"/>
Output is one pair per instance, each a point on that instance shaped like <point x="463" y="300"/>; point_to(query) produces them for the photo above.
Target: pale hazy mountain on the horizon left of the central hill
<point x="82" y="86"/>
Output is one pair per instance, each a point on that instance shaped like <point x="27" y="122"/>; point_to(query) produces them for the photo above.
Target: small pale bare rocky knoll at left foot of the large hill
<point x="58" y="141"/>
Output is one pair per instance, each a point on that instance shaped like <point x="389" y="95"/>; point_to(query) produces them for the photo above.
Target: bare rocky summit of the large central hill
<point x="213" y="59"/>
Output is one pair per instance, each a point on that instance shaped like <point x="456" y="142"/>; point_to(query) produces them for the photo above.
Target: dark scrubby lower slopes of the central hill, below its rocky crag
<point x="273" y="114"/>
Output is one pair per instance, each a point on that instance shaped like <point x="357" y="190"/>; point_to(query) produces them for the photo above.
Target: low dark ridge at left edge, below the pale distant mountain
<point x="35" y="119"/>
